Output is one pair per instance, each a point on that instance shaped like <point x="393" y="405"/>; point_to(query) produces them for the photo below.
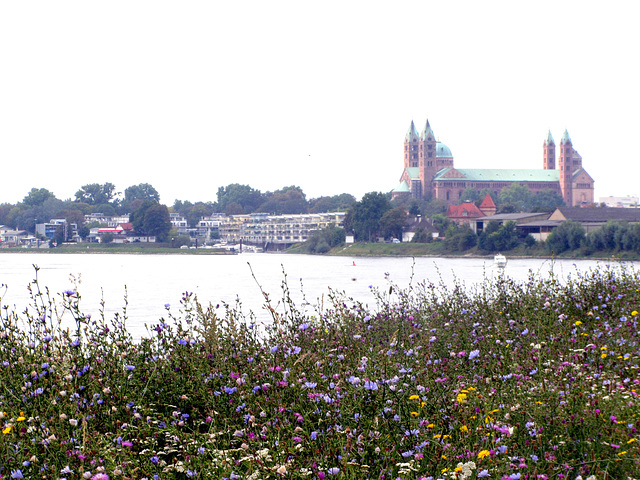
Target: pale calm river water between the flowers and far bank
<point x="152" y="281"/>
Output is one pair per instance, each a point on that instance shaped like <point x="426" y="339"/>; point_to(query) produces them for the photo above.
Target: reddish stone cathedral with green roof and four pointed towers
<point x="429" y="172"/>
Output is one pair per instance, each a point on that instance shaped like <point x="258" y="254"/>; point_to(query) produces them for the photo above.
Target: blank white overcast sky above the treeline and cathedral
<point x="190" y="96"/>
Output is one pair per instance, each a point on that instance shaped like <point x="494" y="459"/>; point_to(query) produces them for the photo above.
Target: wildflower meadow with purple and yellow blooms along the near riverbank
<point x="507" y="380"/>
